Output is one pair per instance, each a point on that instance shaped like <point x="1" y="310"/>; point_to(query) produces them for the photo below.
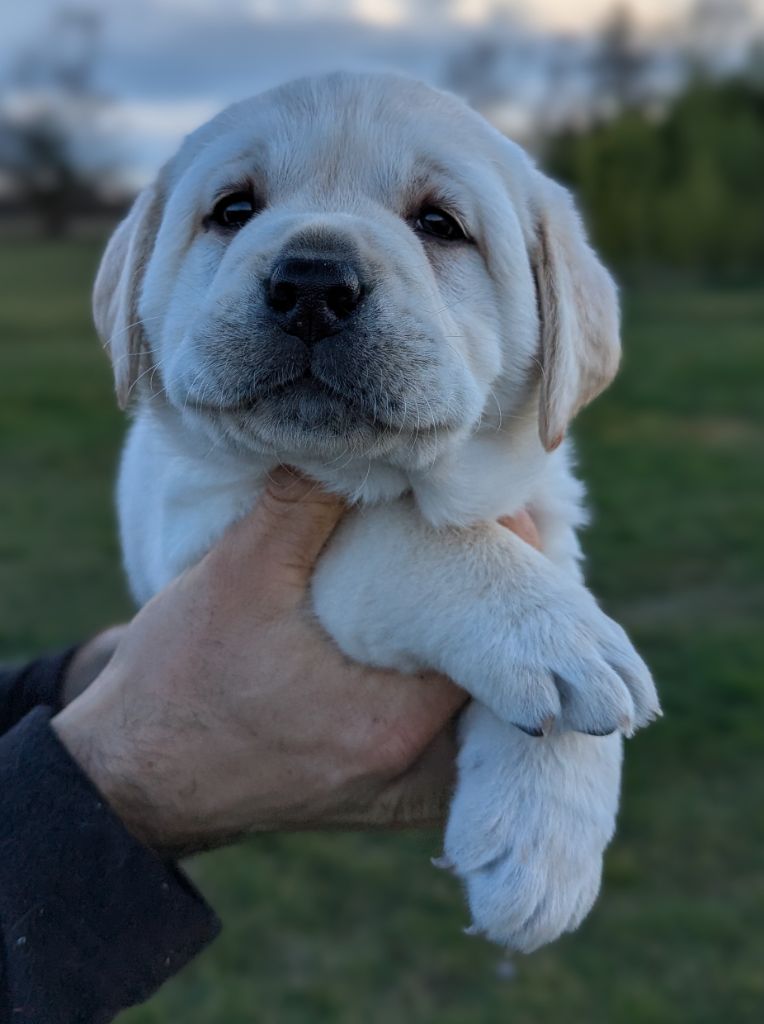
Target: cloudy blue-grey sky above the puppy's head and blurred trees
<point x="169" y="65"/>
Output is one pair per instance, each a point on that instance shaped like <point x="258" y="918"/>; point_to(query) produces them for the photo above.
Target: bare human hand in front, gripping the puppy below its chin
<point x="227" y="710"/>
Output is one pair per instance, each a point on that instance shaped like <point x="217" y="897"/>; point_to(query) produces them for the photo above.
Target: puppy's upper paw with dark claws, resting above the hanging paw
<point x="561" y="663"/>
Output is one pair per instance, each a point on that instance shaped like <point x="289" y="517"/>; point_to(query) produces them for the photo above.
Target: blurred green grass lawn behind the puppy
<point x="353" y="929"/>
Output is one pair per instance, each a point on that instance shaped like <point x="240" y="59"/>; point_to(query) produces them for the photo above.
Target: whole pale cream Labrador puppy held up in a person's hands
<point x="358" y="276"/>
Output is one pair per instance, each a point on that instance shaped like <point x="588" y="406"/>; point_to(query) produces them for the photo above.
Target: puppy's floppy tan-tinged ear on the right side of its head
<point x="580" y="330"/>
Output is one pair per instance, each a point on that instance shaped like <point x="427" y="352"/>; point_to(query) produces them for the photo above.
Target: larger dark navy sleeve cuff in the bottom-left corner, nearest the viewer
<point x="92" y="922"/>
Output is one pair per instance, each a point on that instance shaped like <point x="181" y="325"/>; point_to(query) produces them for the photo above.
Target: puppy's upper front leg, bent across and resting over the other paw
<point x="482" y="607"/>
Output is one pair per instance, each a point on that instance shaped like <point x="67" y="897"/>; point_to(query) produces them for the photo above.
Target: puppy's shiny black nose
<point x="312" y="298"/>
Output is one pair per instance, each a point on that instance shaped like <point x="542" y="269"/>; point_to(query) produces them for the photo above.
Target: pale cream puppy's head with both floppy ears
<point x="356" y="265"/>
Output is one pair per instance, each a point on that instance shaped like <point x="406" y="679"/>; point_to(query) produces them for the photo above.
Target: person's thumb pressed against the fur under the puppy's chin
<point x="288" y="528"/>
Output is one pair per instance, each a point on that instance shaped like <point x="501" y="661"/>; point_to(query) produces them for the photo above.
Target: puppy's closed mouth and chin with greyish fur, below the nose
<point x="346" y="395"/>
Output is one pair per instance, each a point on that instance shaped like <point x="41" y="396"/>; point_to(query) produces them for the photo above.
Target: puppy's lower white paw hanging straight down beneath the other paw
<point x="529" y="826"/>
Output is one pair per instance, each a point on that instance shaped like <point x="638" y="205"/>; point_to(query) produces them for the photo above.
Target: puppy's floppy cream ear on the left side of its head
<point x="117" y="290"/>
